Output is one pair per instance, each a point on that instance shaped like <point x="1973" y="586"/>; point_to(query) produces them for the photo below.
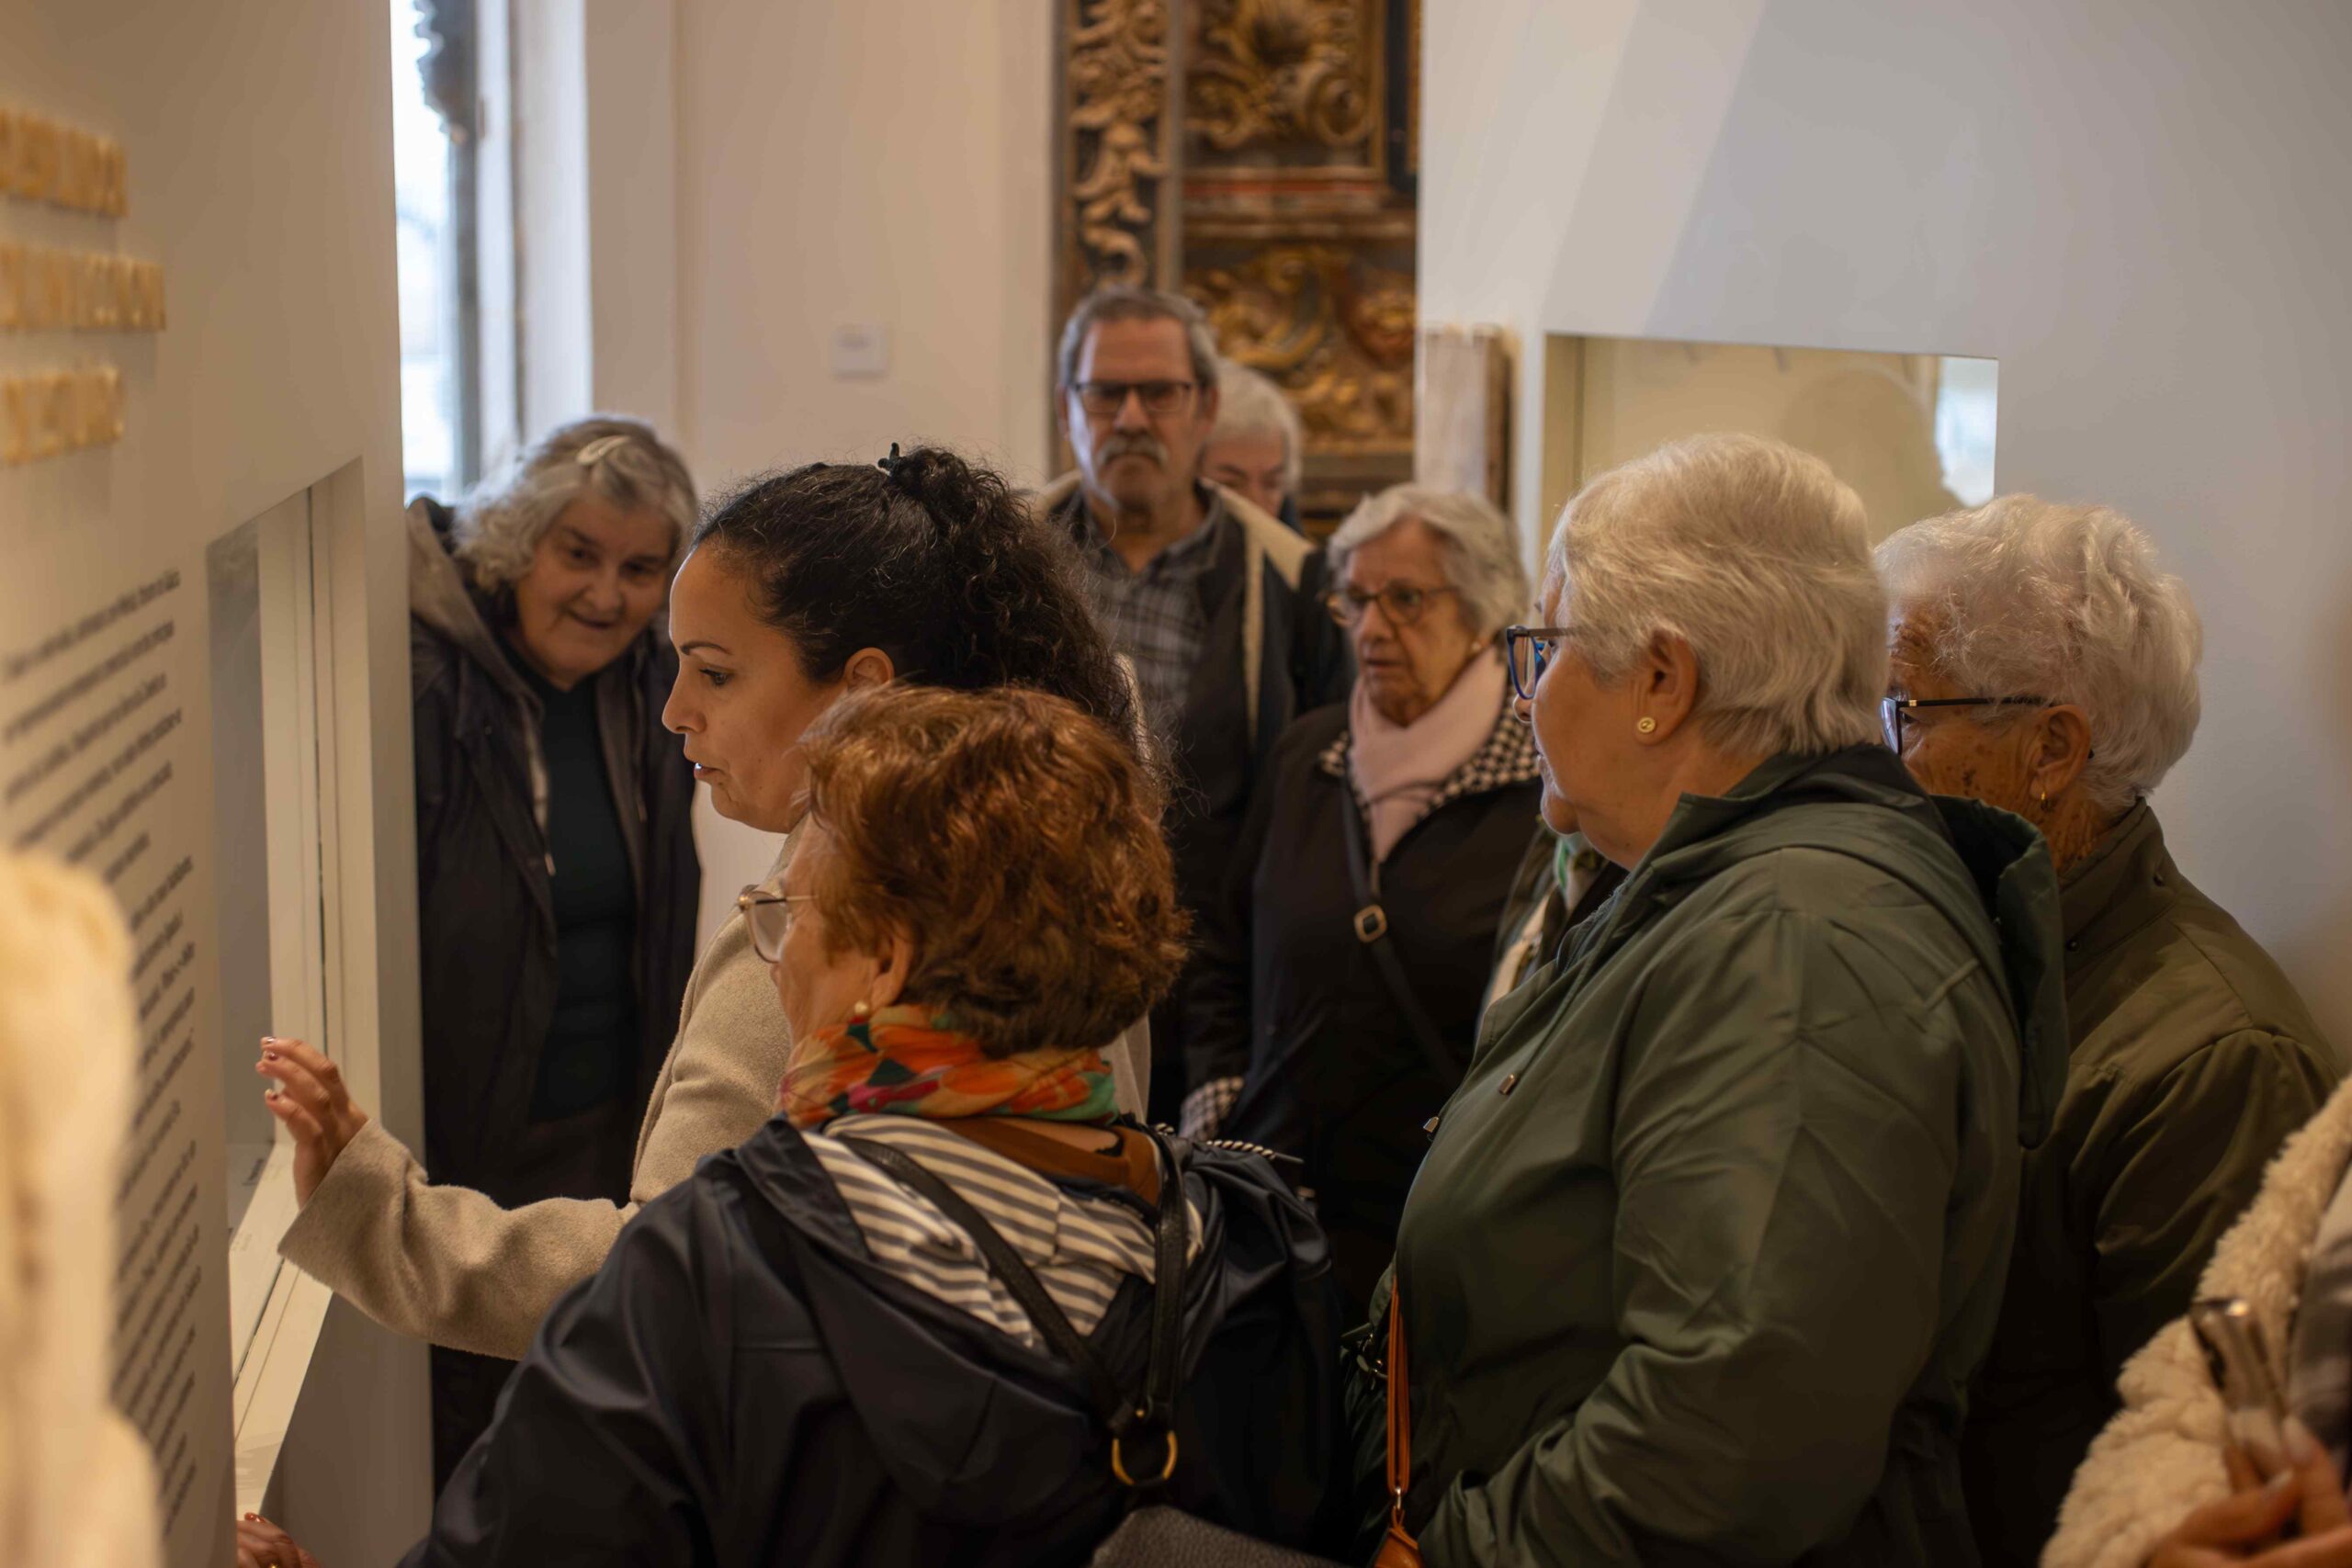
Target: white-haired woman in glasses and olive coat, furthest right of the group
<point x="2045" y="664"/>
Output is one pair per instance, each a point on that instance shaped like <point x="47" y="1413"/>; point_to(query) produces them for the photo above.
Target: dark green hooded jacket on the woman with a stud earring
<point x="1711" y="1238"/>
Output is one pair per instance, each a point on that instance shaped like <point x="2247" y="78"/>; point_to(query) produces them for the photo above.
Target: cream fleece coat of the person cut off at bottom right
<point x="2163" y="1454"/>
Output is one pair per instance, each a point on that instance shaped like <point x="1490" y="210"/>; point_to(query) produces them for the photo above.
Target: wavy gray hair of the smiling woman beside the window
<point x="608" y="455"/>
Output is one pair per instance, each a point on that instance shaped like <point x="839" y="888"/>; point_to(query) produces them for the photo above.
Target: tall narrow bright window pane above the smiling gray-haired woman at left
<point x="434" y="175"/>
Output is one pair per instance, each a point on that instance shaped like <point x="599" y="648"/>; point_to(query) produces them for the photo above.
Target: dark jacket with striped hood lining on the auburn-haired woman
<point x="742" y="1383"/>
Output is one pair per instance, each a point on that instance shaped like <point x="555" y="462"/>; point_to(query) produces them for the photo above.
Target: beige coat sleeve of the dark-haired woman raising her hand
<point x="455" y="1268"/>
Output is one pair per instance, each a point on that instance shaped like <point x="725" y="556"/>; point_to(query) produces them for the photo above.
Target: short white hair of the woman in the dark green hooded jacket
<point x="1758" y="558"/>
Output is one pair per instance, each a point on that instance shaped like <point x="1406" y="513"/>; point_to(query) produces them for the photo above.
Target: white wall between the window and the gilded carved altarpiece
<point x="841" y="161"/>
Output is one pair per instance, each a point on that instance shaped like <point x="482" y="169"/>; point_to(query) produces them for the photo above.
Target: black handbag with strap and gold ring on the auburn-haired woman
<point x="1144" y="1426"/>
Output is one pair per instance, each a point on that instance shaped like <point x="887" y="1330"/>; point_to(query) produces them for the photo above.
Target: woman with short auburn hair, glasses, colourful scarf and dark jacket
<point x="806" y="1353"/>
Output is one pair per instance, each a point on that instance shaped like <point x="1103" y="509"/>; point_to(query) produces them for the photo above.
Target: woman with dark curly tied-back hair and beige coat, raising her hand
<point x="799" y="589"/>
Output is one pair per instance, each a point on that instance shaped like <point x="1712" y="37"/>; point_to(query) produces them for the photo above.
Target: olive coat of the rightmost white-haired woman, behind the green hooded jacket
<point x="2193" y="1059"/>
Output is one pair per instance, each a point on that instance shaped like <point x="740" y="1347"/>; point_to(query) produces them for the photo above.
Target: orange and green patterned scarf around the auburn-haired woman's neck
<point x="911" y="1061"/>
